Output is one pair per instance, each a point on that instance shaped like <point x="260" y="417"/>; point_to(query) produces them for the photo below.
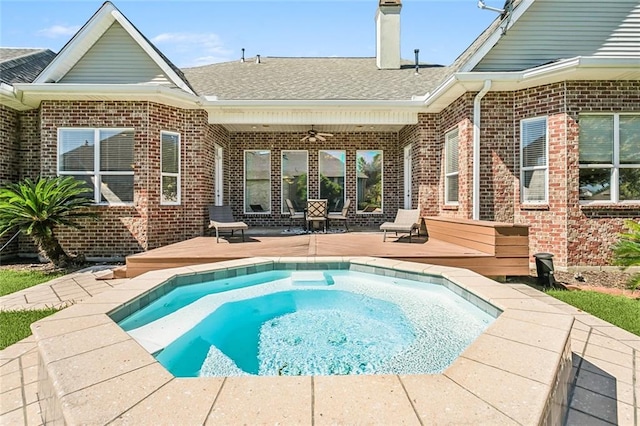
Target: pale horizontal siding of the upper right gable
<point x="551" y="30"/>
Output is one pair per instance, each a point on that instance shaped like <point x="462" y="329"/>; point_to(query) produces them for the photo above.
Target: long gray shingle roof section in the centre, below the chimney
<point x="278" y="78"/>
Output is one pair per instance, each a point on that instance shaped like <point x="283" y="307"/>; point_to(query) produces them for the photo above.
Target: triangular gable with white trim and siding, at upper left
<point x="110" y="50"/>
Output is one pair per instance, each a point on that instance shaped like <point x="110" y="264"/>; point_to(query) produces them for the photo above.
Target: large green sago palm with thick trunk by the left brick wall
<point x="38" y="208"/>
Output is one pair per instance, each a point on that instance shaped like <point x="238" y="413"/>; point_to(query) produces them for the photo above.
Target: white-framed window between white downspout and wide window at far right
<point x="533" y="160"/>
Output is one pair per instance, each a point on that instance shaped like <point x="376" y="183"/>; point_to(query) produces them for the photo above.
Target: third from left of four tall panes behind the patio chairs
<point x="331" y="165"/>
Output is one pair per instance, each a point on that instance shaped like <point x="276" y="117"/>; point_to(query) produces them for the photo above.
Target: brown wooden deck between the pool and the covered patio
<point x="422" y="249"/>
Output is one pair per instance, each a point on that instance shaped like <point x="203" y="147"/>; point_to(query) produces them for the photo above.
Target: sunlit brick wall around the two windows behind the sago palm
<point x="123" y="230"/>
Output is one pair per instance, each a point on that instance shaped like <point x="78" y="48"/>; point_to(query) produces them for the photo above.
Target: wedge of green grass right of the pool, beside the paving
<point x="618" y="310"/>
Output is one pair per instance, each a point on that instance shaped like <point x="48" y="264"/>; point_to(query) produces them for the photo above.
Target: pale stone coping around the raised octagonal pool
<point x="517" y="372"/>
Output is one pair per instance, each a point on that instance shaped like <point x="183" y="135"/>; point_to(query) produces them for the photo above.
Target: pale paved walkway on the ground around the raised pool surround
<point x="606" y="359"/>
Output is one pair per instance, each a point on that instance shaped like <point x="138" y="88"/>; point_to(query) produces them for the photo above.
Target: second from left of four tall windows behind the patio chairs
<point x="295" y="171"/>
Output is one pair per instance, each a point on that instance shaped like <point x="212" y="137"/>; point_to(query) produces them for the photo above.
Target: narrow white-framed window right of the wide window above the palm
<point x="170" y="168"/>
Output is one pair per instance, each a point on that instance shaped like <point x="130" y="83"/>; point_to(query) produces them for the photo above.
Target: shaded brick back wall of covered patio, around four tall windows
<point x="350" y="142"/>
